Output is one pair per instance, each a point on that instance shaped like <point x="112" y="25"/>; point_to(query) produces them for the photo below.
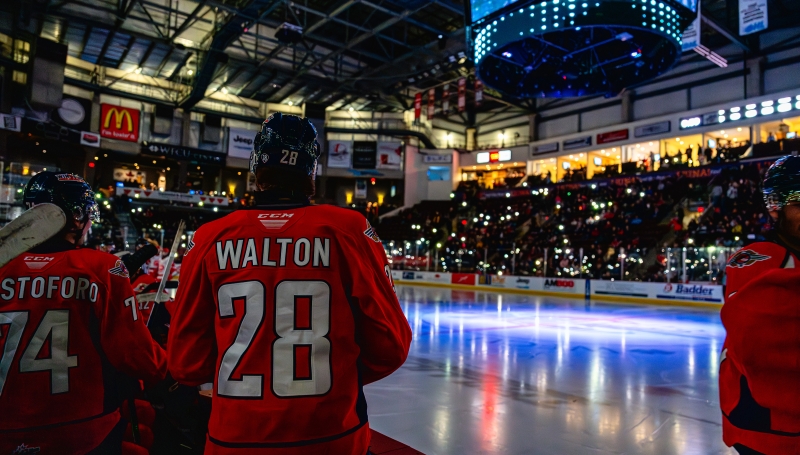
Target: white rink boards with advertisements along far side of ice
<point x="634" y="291"/>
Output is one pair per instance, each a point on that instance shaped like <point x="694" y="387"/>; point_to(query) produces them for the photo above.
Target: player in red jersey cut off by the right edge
<point x="760" y="361"/>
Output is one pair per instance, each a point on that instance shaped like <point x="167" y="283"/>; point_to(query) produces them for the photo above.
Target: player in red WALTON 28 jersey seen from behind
<point x="289" y="309"/>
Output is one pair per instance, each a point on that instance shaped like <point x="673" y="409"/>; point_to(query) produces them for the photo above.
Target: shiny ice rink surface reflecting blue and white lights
<point x="494" y="373"/>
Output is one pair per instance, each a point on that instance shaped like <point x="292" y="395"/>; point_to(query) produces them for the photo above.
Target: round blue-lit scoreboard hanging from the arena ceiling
<point x="567" y="48"/>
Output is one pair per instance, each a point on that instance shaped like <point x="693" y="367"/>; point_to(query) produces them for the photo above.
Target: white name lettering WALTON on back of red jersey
<point x="240" y="253"/>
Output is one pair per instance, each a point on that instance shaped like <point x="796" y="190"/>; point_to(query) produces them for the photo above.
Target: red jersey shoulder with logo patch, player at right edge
<point x="756" y="259"/>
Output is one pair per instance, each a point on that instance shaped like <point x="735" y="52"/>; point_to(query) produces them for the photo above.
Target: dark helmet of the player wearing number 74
<point x="68" y="191"/>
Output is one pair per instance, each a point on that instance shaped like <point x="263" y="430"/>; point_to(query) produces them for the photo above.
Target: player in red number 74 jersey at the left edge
<point x="68" y="325"/>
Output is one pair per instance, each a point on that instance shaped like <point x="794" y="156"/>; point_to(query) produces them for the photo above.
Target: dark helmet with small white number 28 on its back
<point x="286" y="141"/>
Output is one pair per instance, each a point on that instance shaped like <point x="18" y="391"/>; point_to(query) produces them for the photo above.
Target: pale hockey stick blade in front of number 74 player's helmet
<point x="34" y="227"/>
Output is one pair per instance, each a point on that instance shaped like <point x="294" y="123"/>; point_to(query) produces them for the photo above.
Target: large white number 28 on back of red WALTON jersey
<point x="301" y="364"/>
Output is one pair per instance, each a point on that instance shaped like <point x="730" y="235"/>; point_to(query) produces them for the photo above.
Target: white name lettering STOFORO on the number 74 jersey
<point x="49" y="287"/>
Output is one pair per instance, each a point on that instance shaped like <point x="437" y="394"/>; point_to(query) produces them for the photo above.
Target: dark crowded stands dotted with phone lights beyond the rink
<point x="613" y="220"/>
